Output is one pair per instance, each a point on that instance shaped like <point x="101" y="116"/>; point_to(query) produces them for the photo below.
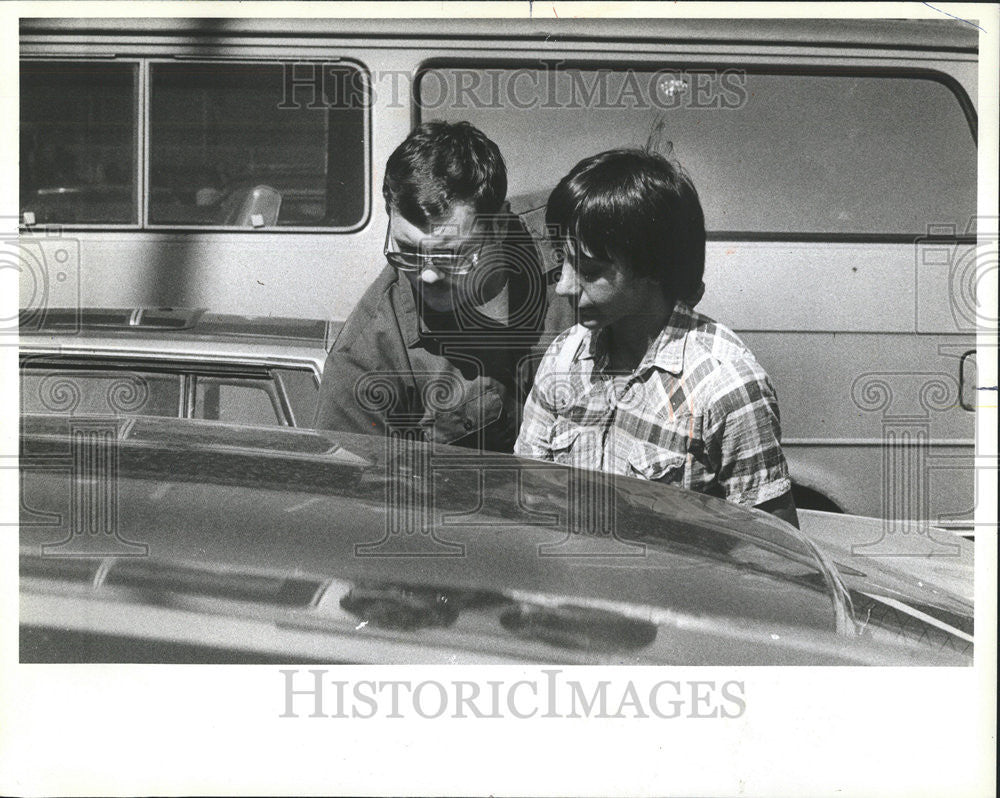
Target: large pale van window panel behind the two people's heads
<point x="769" y="153"/>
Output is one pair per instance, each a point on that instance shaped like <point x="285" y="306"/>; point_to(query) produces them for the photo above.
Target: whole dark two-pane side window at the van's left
<point x="230" y="144"/>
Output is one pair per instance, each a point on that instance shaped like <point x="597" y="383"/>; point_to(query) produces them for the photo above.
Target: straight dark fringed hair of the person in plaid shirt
<point x="638" y="208"/>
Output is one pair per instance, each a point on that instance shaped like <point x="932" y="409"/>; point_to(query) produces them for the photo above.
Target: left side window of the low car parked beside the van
<point x="96" y="392"/>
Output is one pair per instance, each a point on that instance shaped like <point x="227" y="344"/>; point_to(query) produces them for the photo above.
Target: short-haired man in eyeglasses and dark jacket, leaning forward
<point x="439" y="348"/>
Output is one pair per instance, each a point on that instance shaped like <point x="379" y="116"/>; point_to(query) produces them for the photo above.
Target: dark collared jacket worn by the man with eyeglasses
<point x="463" y="382"/>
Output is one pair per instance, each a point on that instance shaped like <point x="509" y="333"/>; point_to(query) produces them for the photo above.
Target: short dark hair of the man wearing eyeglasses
<point x="442" y="164"/>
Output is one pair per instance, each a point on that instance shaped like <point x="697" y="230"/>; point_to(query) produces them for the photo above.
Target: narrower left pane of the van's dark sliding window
<point x="78" y="142"/>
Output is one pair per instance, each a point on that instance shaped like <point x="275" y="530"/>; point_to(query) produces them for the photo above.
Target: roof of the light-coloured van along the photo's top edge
<point x="933" y="34"/>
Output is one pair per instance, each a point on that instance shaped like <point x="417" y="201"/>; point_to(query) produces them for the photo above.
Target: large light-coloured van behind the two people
<point x="235" y="164"/>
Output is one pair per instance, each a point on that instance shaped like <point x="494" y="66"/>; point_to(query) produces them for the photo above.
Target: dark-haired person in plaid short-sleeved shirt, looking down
<point x="643" y="385"/>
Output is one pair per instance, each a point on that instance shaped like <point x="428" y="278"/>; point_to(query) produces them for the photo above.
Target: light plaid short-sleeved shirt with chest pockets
<point x="698" y="412"/>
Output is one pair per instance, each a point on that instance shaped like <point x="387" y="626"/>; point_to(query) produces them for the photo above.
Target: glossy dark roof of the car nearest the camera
<point x="296" y="523"/>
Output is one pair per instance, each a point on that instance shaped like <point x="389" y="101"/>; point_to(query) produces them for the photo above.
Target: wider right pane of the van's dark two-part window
<point x="222" y="132"/>
